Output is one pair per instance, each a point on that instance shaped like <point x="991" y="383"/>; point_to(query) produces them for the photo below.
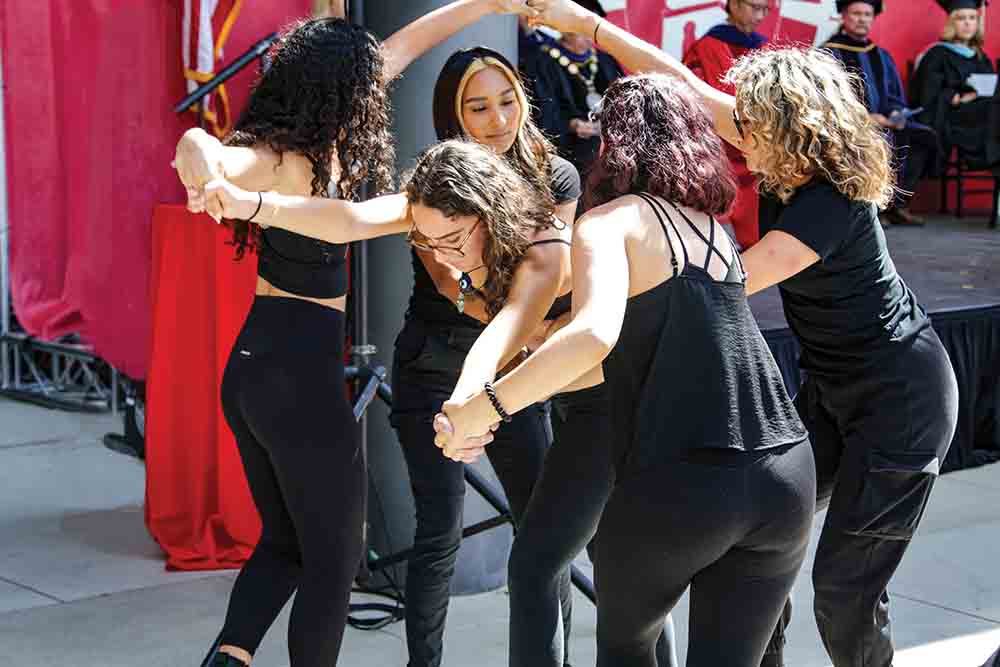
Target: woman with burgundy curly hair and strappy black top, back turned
<point x="715" y="481"/>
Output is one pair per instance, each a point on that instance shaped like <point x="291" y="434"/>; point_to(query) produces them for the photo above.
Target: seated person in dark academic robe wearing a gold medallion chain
<point x="567" y="78"/>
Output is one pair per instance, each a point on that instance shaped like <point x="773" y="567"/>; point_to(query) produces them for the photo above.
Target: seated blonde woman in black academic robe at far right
<point x="941" y="85"/>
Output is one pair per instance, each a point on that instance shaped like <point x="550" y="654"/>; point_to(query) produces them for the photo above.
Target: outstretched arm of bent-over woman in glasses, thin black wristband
<point x="330" y="220"/>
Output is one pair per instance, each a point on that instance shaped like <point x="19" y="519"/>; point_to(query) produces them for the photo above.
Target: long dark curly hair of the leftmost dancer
<point x="323" y="97"/>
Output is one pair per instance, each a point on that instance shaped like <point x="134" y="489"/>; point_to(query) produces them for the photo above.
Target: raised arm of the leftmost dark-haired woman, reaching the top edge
<point x="413" y="40"/>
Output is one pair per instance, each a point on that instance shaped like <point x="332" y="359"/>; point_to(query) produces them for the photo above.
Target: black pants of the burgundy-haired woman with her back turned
<point x="732" y="525"/>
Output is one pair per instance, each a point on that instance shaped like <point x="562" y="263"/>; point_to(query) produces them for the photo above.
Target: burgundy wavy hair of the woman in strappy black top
<point x="658" y="138"/>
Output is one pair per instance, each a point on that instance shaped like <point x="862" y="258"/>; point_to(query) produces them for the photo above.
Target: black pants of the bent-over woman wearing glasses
<point x="561" y="519"/>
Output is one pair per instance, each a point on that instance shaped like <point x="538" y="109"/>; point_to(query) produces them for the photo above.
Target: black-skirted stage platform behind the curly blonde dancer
<point x="953" y="266"/>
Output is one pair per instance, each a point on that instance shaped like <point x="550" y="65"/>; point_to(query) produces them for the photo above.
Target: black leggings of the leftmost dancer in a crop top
<point x="283" y="396"/>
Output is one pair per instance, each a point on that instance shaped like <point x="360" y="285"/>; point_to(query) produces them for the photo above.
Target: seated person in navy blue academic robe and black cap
<point x="882" y="92"/>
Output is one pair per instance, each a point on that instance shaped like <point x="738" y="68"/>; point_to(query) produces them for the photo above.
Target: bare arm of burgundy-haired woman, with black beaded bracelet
<point x="600" y="293"/>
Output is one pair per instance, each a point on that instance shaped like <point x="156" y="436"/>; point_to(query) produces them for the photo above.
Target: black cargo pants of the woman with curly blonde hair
<point x="879" y="440"/>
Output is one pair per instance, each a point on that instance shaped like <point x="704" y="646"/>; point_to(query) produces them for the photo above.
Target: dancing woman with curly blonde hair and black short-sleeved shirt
<point x="880" y="397"/>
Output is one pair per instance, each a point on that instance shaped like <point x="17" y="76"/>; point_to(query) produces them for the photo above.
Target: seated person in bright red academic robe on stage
<point x="710" y="58"/>
